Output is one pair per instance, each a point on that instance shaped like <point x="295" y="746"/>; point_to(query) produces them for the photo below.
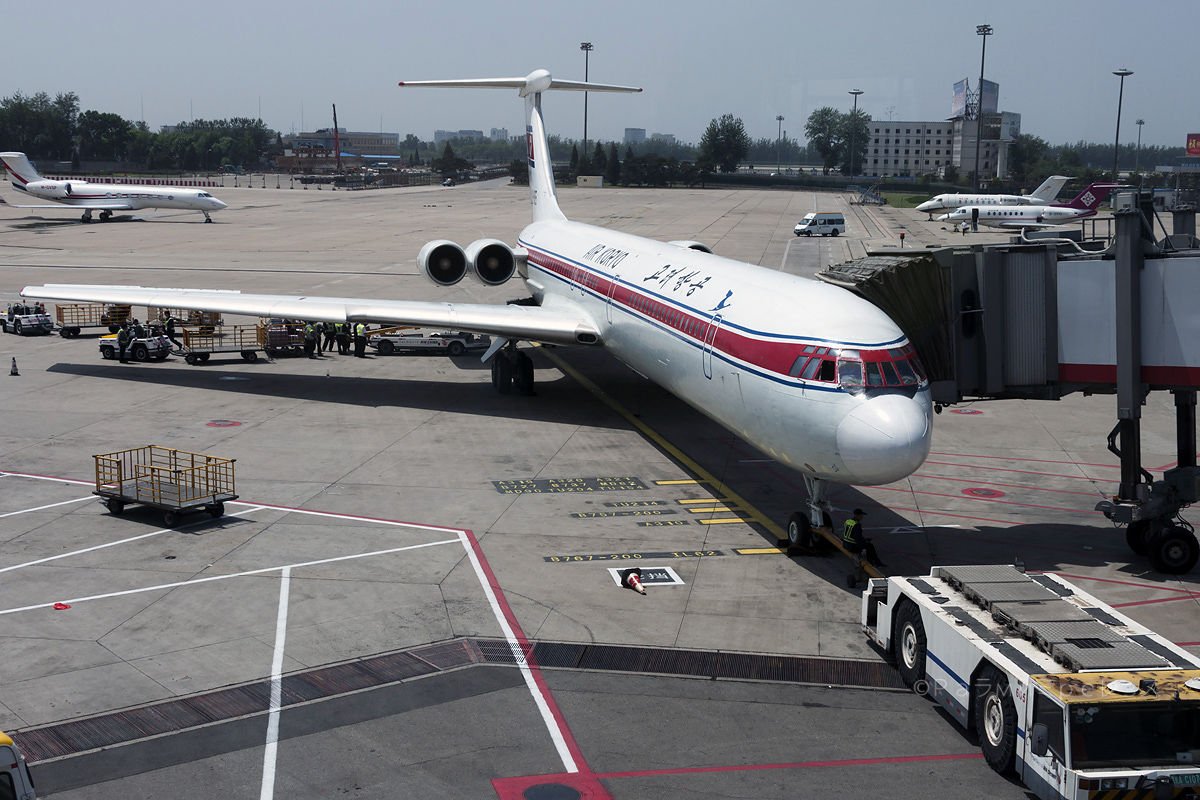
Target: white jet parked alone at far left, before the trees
<point x="105" y="199"/>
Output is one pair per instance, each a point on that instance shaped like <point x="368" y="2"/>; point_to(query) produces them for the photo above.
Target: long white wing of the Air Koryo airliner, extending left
<point x="561" y="323"/>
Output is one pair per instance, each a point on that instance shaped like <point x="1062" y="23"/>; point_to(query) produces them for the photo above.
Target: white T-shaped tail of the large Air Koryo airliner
<point x="542" y="173"/>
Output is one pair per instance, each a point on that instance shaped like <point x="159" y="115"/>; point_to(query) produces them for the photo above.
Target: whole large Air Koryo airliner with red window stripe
<point x="812" y="375"/>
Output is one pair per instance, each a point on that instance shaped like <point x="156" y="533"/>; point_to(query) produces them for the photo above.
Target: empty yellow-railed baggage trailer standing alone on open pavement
<point x="175" y="482"/>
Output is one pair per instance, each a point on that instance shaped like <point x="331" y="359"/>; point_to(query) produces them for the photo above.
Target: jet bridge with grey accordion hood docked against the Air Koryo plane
<point x="1041" y="320"/>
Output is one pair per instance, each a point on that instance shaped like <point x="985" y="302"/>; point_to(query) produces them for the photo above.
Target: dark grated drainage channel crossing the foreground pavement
<point x="67" y="739"/>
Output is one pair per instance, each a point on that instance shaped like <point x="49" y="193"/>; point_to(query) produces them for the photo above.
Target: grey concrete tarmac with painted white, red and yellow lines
<point x="415" y="592"/>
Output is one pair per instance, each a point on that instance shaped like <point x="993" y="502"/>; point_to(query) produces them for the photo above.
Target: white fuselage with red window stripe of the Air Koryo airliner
<point x="735" y="341"/>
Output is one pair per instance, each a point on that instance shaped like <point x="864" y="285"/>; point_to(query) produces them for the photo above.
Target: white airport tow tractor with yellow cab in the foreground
<point x="1077" y="700"/>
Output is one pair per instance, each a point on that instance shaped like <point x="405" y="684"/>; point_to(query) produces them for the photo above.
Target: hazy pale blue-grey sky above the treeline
<point x="757" y="59"/>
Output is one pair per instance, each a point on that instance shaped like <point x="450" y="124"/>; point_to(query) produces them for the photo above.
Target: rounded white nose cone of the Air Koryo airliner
<point x="885" y="440"/>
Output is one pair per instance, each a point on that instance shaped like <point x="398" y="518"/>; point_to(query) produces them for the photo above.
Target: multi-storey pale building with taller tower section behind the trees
<point x="910" y="149"/>
